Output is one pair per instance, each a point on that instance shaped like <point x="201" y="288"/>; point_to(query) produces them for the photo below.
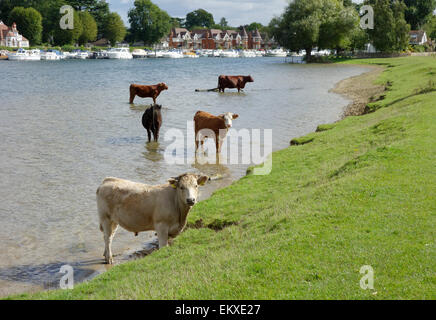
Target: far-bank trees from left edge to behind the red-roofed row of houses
<point x="38" y="21"/>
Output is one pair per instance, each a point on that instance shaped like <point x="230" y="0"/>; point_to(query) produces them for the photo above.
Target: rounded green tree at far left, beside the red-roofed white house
<point x="29" y="23"/>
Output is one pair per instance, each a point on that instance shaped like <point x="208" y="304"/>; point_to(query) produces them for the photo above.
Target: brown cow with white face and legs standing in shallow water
<point x="209" y="126"/>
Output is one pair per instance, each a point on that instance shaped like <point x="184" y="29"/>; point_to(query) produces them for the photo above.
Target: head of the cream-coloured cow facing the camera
<point x="186" y="187"/>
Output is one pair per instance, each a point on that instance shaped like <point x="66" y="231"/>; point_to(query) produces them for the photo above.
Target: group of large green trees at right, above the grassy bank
<point x="335" y="24"/>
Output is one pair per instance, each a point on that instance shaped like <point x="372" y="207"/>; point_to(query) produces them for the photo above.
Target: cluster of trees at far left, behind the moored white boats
<point x="38" y="21"/>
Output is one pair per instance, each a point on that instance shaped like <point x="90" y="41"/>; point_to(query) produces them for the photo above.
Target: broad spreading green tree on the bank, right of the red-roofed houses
<point x="314" y="23"/>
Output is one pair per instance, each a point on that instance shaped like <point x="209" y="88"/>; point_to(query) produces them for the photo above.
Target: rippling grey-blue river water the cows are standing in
<point x="66" y="125"/>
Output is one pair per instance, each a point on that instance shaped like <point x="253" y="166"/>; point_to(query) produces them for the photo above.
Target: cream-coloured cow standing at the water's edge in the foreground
<point x="139" y="207"/>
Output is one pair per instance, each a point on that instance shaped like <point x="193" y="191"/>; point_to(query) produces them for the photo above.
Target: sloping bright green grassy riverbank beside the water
<point x="360" y="192"/>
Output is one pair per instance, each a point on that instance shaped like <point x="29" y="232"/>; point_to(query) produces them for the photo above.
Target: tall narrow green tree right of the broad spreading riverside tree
<point x="391" y="31"/>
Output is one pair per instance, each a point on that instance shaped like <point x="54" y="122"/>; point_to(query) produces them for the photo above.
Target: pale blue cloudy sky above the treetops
<point x="237" y="12"/>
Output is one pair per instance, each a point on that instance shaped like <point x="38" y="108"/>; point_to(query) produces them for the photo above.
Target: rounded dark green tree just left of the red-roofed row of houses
<point x="148" y="22"/>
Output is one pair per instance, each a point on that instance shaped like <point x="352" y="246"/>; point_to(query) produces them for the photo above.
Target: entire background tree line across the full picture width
<point x="305" y="24"/>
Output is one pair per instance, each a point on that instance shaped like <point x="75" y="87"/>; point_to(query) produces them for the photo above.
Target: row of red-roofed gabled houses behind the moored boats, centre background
<point x="182" y="38"/>
